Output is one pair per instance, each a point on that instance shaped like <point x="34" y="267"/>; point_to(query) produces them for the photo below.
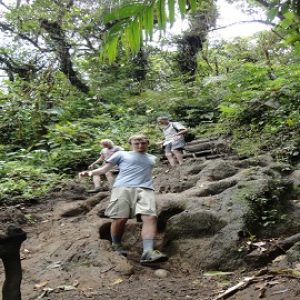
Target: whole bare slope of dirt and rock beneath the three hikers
<point x="216" y="213"/>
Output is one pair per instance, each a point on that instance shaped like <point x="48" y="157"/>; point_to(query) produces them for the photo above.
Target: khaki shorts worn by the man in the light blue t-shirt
<point x="130" y="203"/>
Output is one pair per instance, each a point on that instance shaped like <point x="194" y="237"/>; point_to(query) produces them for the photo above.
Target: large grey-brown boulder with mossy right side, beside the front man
<point x="231" y="201"/>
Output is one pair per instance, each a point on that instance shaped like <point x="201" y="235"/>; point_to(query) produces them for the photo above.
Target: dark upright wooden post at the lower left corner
<point x="10" y="244"/>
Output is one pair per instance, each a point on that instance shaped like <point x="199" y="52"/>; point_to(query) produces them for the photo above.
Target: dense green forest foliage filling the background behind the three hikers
<point x="246" y="89"/>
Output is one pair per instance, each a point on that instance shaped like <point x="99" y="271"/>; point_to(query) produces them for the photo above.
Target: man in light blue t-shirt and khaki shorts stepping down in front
<point x="133" y="196"/>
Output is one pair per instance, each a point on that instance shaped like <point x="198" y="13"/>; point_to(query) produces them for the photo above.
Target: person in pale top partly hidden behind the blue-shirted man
<point x="108" y="150"/>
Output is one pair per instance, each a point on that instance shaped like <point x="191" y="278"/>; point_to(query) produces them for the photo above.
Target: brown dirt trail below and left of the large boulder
<point x="67" y="255"/>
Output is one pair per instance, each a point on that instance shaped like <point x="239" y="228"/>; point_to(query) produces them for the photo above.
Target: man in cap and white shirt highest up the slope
<point x="174" y="140"/>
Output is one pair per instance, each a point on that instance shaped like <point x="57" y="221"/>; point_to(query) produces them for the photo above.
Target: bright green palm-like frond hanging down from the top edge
<point x="130" y="20"/>
